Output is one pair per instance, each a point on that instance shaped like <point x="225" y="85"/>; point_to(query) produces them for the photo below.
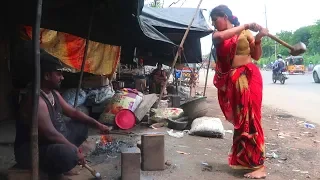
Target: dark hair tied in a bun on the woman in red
<point x="223" y="10"/>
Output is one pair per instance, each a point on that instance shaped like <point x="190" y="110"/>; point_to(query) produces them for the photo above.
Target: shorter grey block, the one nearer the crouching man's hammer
<point x="130" y="164"/>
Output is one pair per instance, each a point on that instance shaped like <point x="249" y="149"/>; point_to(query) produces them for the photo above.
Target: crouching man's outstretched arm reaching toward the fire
<point x="75" y="114"/>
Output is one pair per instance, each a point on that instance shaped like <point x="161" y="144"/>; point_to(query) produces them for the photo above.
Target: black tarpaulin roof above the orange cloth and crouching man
<point x="114" y="21"/>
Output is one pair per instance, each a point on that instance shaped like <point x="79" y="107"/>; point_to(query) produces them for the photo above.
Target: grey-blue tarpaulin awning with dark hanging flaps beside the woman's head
<point x="173" y="22"/>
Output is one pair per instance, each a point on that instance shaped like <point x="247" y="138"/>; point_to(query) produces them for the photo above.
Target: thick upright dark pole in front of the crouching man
<point x="36" y="92"/>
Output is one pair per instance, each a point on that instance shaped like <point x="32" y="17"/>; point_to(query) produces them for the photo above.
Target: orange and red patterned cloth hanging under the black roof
<point x="102" y="59"/>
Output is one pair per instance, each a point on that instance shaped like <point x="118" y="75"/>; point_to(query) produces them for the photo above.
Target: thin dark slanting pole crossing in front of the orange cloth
<point x="84" y="55"/>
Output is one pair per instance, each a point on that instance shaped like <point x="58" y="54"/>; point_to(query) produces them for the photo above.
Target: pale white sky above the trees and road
<point x="281" y="14"/>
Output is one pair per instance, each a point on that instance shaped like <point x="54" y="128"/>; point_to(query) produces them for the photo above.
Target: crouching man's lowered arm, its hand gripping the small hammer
<point x="46" y="127"/>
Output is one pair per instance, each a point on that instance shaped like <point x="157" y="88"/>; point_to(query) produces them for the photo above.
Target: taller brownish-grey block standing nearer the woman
<point x="152" y="152"/>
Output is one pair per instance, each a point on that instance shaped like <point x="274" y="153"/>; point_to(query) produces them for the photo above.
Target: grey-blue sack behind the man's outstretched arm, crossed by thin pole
<point x="70" y="96"/>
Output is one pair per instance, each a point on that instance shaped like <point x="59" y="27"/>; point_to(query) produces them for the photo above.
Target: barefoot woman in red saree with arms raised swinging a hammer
<point x="239" y="85"/>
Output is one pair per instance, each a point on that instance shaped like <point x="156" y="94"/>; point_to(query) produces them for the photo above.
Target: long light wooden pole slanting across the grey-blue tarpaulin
<point x="178" y="52"/>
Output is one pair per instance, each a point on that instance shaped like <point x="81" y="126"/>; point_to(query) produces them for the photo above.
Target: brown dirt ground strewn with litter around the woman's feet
<point x="296" y="147"/>
